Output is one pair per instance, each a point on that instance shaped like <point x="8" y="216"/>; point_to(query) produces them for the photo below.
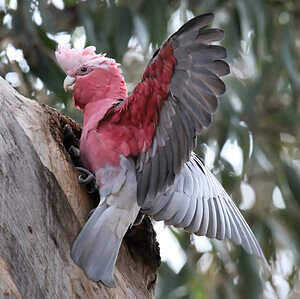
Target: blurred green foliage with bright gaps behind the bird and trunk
<point x="253" y="146"/>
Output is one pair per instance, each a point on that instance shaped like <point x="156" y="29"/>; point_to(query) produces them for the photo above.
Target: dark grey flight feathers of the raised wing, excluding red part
<point x="192" y="99"/>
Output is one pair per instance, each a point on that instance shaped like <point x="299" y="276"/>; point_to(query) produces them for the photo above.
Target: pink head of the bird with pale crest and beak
<point x="90" y="76"/>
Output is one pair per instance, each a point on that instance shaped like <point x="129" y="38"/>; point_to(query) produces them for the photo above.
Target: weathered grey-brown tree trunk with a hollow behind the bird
<point x="43" y="208"/>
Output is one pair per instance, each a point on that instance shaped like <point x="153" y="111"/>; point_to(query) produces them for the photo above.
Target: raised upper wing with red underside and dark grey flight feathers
<point x="174" y="102"/>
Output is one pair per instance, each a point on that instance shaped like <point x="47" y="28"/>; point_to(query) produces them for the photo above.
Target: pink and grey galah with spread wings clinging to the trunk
<point x="140" y="147"/>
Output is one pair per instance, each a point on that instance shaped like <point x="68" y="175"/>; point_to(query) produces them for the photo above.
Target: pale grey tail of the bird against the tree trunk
<point x="96" y="248"/>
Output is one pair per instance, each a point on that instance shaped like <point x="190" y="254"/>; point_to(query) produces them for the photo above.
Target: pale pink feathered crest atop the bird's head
<point x="71" y="59"/>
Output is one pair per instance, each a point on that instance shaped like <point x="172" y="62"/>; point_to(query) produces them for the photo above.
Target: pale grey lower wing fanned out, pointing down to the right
<point x="198" y="203"/>
